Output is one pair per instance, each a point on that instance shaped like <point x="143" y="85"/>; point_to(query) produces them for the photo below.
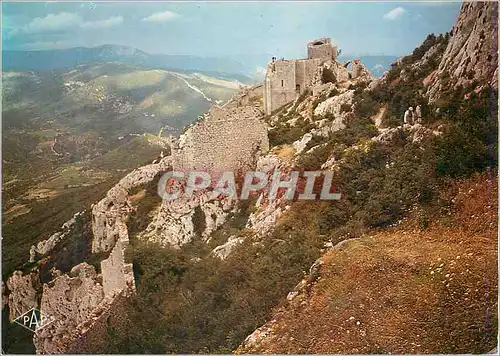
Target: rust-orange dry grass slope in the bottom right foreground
<point x="404" y="290"/>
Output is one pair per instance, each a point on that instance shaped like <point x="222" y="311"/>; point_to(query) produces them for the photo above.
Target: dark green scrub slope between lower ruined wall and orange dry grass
<point x="210" y="305"/>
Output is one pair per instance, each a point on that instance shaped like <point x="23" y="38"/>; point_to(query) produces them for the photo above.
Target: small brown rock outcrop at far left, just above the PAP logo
<point x="23" y="293"/>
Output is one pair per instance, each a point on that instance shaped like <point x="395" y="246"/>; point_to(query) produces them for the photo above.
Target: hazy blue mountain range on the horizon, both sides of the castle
<point x="242" y="68"/>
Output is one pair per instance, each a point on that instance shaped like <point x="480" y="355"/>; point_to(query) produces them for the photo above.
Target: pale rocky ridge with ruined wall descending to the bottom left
<point x="78" y="300"/>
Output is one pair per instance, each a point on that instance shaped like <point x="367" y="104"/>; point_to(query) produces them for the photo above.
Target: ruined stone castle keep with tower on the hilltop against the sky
<point x="287" y="79"/>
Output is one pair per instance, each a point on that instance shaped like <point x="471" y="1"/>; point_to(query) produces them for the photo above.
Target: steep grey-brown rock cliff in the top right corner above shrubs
<point x="472" y="52"/>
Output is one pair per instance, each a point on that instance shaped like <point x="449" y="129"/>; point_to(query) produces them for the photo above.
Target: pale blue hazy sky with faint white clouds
<point x="226" y="28"/>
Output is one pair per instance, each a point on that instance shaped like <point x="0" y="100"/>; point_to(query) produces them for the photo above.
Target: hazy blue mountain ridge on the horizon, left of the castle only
<point x="71" y="57"/>
